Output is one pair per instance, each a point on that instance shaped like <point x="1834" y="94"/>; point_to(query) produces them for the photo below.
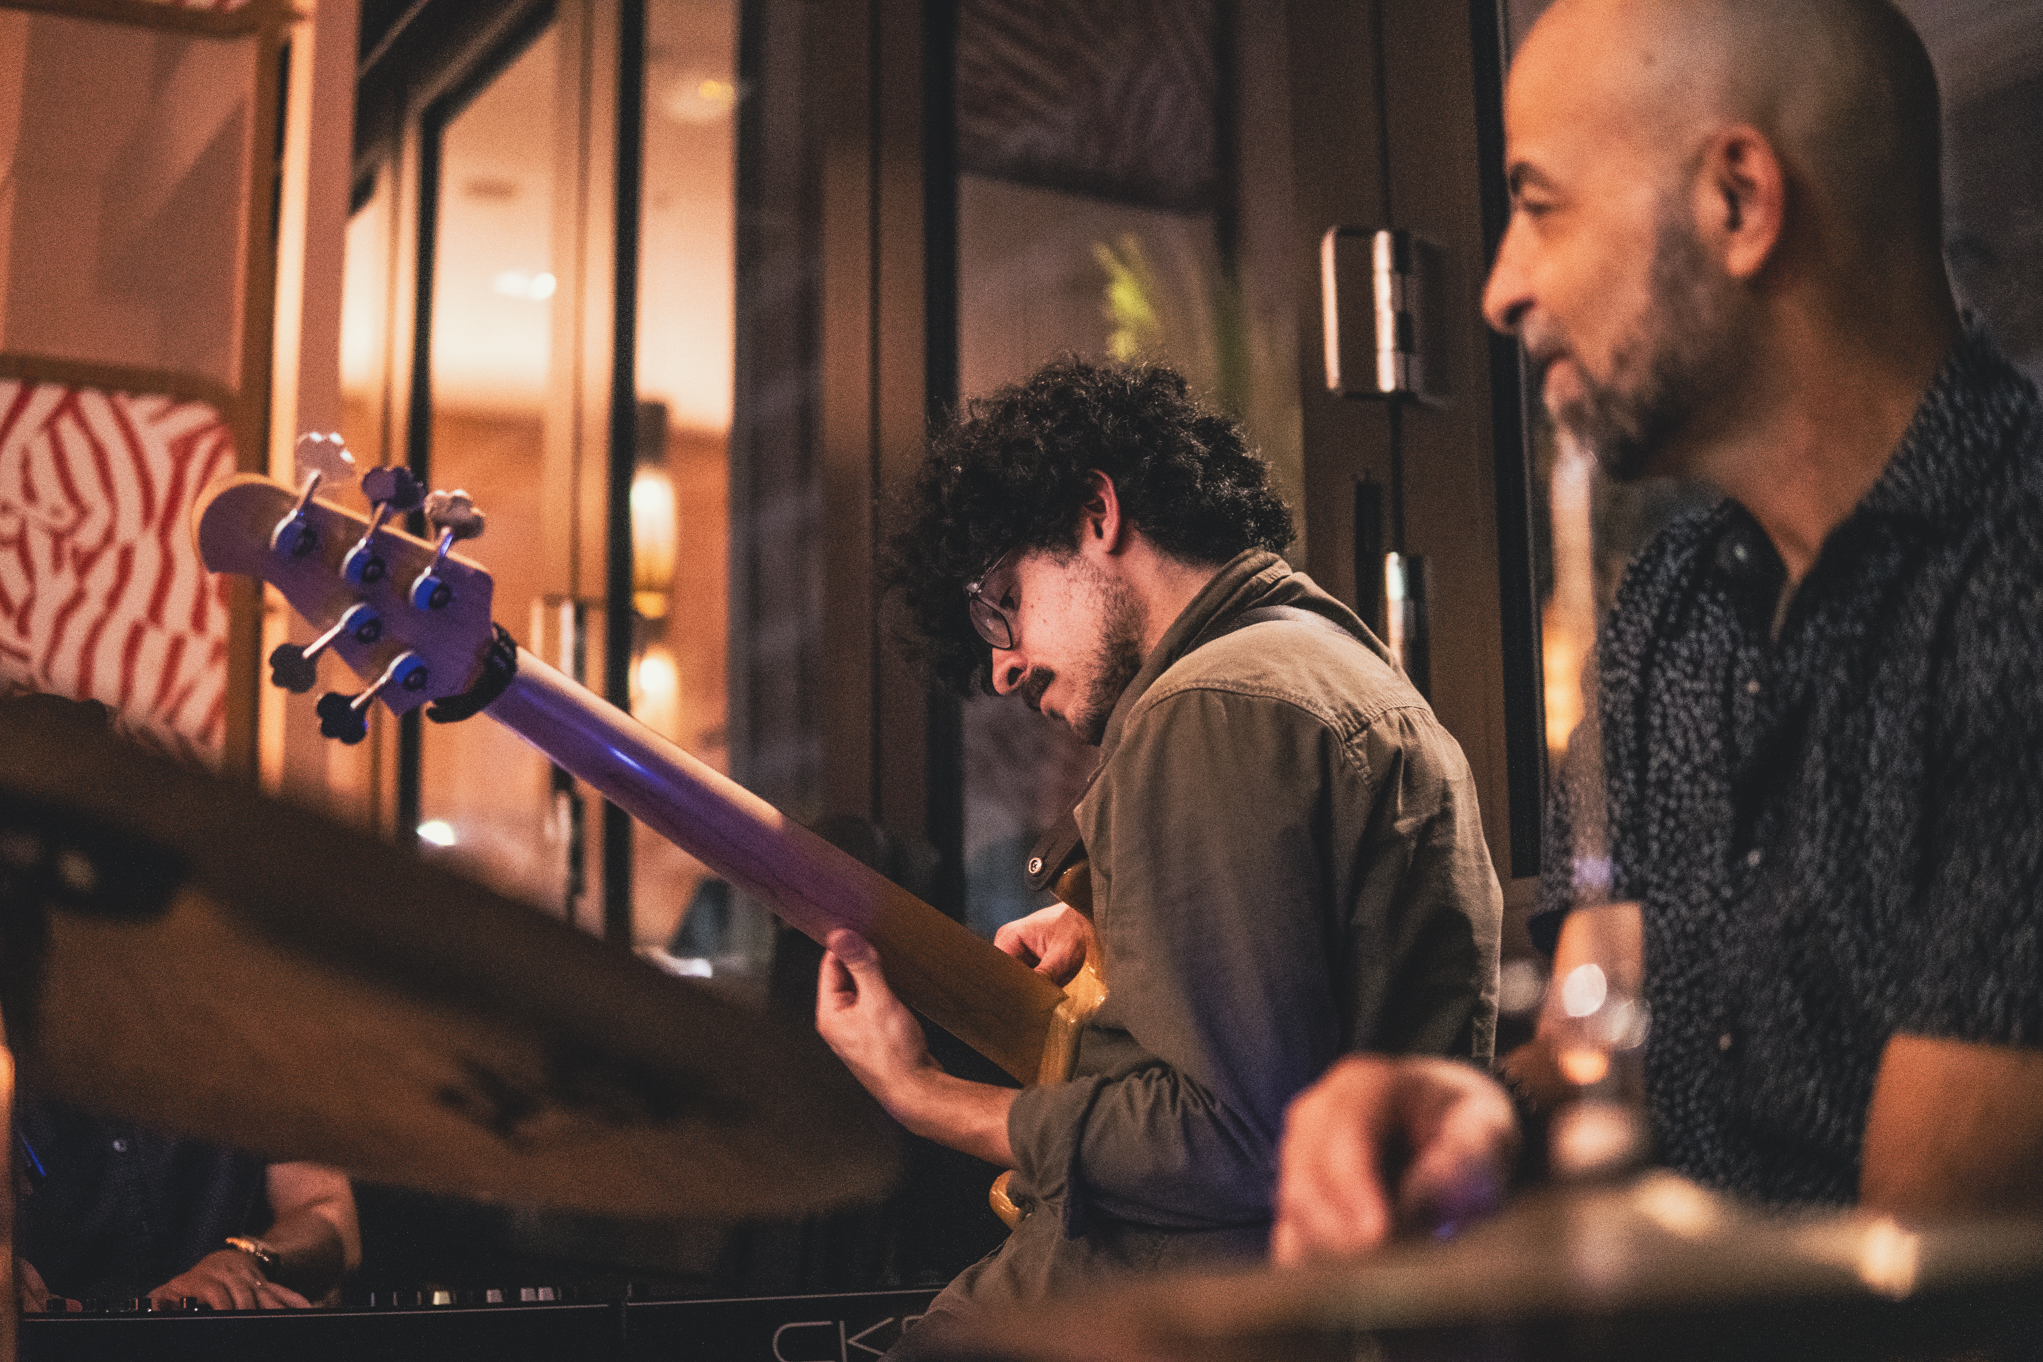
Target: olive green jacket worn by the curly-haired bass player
<point x="1288" y="863"/>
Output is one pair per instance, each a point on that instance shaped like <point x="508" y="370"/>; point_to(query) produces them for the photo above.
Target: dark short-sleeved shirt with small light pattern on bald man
<point x="1838" y="832"/>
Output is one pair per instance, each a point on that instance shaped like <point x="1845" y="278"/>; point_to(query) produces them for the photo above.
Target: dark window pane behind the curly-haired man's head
<point x="1098" y="213"/>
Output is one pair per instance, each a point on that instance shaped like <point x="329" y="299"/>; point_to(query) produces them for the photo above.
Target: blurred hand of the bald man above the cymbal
<point x="1386" y="1145"/>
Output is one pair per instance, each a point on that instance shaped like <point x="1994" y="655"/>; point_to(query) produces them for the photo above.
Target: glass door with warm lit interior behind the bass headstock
<point x="540" y="313"/>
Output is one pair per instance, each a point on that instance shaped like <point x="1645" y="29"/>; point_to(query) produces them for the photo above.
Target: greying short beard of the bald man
<point x="1678" y="360"/>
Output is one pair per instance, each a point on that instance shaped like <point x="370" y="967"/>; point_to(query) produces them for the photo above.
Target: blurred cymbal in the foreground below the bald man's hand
<point x="1644" y="1261"/>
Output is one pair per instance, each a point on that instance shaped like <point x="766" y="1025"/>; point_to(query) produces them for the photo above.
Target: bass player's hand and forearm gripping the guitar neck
<point x="882" y="1042"/>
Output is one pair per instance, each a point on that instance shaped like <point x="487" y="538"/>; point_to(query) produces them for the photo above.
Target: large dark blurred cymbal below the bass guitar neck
<point x="187" y="955"/>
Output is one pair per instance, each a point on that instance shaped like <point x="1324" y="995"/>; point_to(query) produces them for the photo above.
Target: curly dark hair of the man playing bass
<point x="1016" y="469"/>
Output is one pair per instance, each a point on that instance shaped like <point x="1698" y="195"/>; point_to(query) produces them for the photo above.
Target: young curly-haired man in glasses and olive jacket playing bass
<point x="1286" y="850"/>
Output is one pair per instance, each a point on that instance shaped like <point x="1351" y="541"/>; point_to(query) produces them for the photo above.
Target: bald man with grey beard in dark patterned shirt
<point x="1823" y="699"/>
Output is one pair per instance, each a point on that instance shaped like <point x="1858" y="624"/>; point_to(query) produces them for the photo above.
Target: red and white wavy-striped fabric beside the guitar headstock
<point x="101" y="589"/>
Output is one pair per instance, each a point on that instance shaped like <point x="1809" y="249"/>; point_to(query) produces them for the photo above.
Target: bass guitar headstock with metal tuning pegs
<point x="399" y="612"/>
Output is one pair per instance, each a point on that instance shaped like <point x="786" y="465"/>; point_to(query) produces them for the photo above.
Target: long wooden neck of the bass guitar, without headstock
<point x="976" y="991"/>
